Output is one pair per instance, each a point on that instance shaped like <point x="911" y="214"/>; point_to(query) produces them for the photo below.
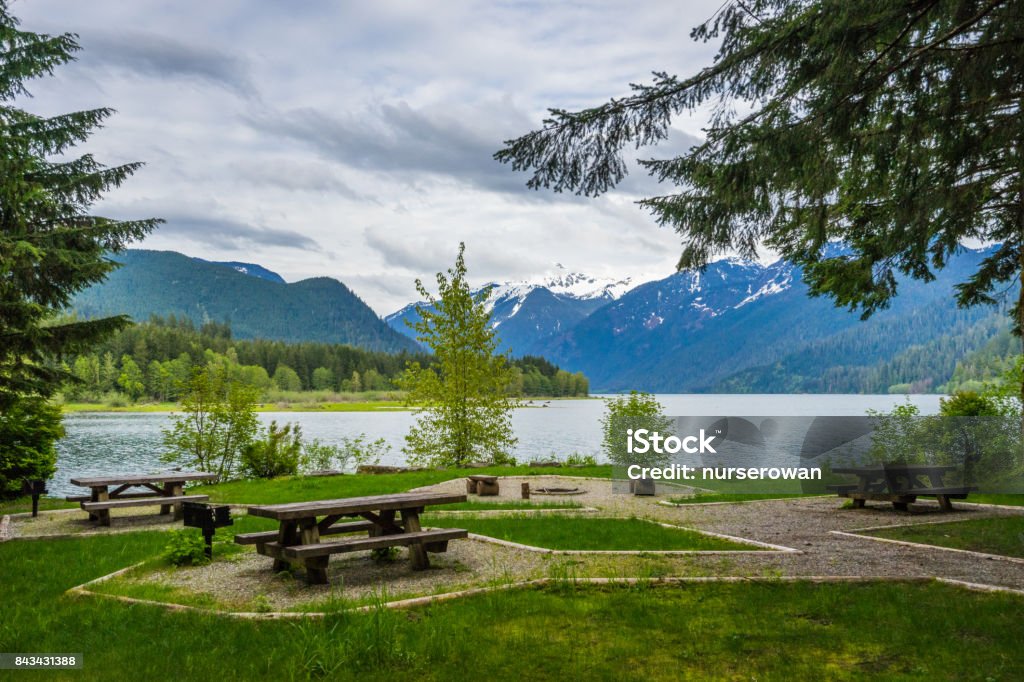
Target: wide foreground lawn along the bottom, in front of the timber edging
<point x="767" y="632"/>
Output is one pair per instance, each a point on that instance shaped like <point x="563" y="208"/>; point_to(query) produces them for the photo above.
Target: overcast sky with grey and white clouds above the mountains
<point x="355" y="140"/>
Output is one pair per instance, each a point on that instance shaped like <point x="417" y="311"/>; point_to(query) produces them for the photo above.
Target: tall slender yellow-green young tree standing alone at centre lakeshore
<point x="464" y="399"/>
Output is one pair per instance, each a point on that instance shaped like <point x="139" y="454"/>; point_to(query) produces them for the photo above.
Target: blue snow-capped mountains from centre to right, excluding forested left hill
<point x="740" y="327"/>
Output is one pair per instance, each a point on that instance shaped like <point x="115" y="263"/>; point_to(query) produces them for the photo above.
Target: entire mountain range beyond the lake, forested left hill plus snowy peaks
<point x="736" y="327"/>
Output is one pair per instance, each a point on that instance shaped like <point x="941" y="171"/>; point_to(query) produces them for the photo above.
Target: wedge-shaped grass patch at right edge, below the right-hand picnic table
<point x="996" y="536"/>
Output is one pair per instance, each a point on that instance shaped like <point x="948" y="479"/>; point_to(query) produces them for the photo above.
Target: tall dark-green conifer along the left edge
<point x="51" y="247"/>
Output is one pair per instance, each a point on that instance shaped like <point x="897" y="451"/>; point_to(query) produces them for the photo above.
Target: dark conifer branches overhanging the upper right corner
<point x="894" y="127"/>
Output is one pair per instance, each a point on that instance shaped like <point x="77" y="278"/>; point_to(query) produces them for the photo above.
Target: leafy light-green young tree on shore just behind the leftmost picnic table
<point x="218" y="422"/>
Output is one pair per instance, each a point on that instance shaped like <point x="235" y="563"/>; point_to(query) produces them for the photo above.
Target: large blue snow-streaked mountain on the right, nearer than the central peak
<point x="733" y="325"/>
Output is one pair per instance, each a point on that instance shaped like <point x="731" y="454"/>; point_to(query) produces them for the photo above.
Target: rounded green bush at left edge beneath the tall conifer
<point x="29" y="430"/>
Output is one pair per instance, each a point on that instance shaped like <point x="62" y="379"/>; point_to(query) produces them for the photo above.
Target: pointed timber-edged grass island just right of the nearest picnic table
<point x="586" y="534"/>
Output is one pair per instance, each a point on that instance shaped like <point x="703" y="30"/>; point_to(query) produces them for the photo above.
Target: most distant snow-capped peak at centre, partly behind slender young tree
<point x="528" y="312"/>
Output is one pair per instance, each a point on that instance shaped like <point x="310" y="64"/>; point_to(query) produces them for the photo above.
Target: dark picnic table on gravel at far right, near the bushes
<point x="901" y="485"/>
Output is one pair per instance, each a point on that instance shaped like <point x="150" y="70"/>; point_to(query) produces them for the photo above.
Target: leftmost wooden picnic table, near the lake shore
<point x="165" y="490"/>
